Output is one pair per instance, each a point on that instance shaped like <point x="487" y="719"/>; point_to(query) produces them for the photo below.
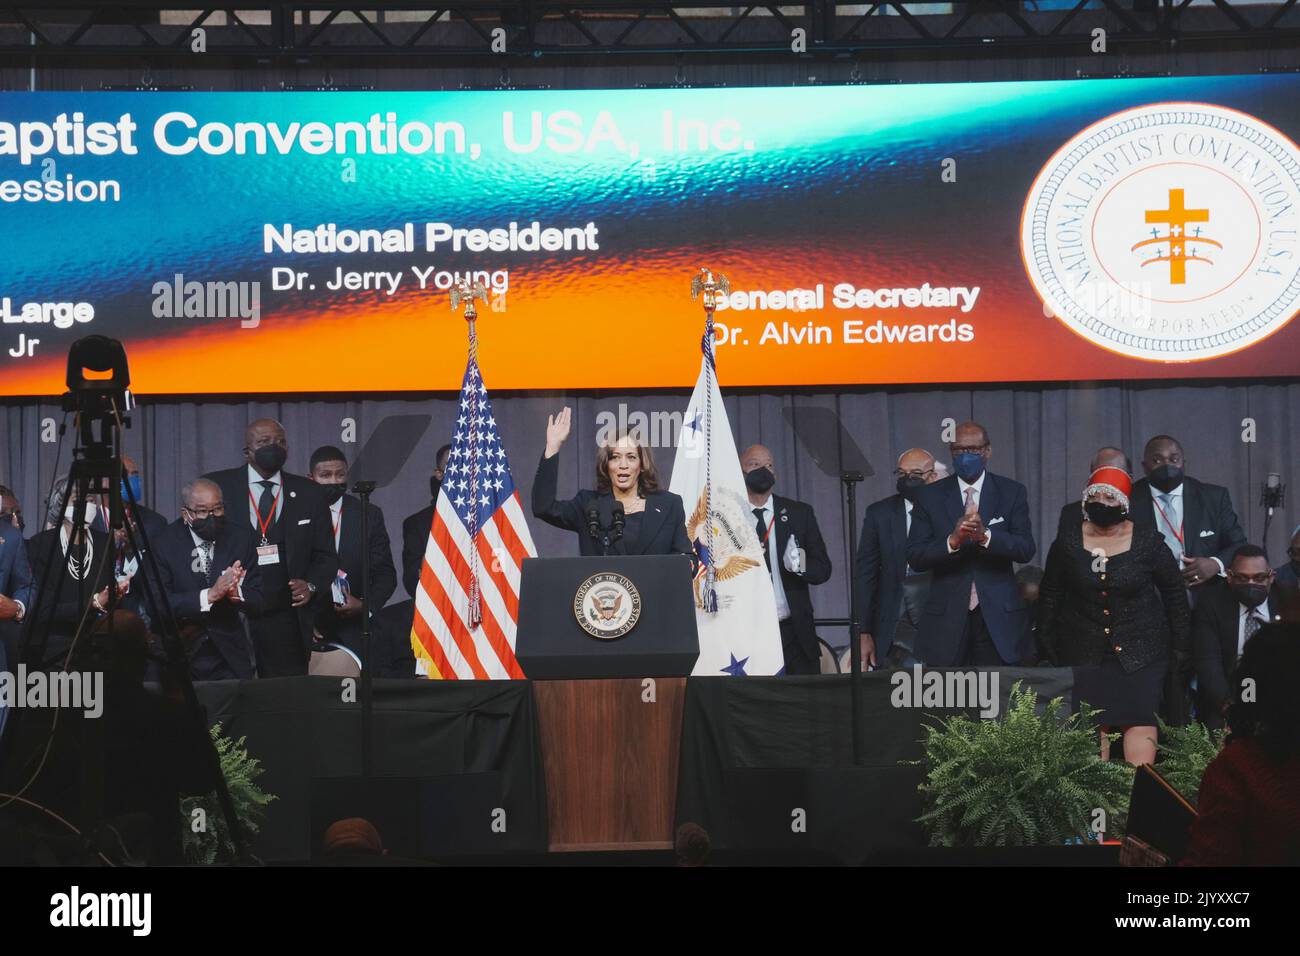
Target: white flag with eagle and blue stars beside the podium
<point x="735" y="607"/>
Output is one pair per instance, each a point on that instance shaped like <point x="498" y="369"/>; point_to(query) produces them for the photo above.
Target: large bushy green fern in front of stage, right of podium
<point x="1021" y="780"/>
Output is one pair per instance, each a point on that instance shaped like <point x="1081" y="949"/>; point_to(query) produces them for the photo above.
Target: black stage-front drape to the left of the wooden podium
<point x="473" y="743"/>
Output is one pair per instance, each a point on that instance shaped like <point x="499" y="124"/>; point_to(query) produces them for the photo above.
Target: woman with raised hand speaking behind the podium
<point x="626" y="514"/>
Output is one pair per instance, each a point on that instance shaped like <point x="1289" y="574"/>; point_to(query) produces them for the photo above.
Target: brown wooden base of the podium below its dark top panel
<point x="610" y="752"/>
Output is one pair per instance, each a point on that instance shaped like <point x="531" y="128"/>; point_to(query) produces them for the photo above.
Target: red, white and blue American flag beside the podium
<point x="467" y="604"/>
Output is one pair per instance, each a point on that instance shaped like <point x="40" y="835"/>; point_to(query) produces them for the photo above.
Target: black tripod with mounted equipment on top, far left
<point x="97" y="469"/>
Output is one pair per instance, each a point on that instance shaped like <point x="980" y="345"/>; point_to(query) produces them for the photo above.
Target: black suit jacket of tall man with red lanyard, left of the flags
<point x="309" y="540"/>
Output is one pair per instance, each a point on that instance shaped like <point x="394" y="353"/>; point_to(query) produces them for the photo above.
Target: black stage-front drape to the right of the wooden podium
<point x="756" y="752"/>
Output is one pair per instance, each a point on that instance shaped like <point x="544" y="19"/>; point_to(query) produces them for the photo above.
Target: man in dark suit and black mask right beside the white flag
<point x="796" y="557"/>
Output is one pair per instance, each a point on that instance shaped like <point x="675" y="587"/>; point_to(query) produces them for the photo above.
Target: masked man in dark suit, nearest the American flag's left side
<point x="340" y="620"/>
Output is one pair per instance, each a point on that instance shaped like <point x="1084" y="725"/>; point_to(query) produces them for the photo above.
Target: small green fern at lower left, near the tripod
<point x="213" y="843"/>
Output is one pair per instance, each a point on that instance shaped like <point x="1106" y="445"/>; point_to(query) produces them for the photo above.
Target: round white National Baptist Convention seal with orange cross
<point x="1169" y="232"/>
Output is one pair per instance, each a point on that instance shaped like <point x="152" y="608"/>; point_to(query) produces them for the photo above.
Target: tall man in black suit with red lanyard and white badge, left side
<point x="296" y="551"/>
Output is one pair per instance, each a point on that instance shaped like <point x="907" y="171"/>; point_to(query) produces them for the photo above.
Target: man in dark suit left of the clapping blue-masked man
<point x="890" y="595"/>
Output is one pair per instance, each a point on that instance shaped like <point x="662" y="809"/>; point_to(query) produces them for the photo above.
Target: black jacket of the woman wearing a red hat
<point x="1137" y="607"/>
